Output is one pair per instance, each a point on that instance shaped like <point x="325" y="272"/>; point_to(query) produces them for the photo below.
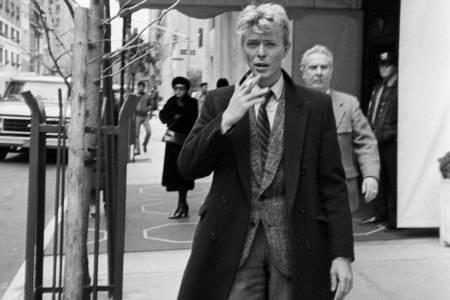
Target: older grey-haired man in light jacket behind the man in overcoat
<point x="356" y="139"/>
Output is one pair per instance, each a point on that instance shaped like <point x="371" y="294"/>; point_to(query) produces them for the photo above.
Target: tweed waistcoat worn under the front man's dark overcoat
<point x="268" y="207"/>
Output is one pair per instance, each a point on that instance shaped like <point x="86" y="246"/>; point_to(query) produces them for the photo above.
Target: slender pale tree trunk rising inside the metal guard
<point x="77" y="205"/>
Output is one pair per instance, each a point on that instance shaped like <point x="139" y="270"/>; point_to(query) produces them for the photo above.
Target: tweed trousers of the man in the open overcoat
<point x="259" y="278"/>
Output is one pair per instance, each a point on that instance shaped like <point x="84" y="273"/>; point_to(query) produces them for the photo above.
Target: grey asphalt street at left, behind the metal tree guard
<point x="13" y="211"/>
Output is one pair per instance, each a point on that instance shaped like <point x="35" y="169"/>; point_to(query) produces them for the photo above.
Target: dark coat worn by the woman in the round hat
<point x="171" y="178"/>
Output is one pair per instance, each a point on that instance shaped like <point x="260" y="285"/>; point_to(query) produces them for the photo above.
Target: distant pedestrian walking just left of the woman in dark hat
<point x="143" y="112"/>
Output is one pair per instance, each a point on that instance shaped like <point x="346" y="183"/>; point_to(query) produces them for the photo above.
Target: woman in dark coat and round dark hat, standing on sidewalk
<point x="179" y="113"/>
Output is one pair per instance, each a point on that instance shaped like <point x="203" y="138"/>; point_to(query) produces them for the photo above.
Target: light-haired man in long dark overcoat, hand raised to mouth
<point x="276" y="223"/>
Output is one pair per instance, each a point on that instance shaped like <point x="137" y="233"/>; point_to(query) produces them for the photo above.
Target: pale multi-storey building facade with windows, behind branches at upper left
<point x="23" y="41"/>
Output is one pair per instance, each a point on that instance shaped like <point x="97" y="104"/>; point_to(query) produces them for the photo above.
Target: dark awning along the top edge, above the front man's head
<point x="204" y="9"/>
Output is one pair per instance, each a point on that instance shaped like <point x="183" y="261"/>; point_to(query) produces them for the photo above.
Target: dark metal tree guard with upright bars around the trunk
<point x="111" y="156"/>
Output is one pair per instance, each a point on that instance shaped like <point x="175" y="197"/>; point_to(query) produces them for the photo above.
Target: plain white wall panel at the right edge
<point x="424" y="109"/>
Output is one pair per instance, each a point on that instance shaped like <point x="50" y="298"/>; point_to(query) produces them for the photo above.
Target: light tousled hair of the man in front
<point x="263" y="18"/>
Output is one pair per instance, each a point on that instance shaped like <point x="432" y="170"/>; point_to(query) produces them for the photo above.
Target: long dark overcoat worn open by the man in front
<point x="315" y="194"/>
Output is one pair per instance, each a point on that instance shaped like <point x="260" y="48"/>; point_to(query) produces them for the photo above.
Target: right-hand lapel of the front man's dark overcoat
<point x="296" y="118"/>
